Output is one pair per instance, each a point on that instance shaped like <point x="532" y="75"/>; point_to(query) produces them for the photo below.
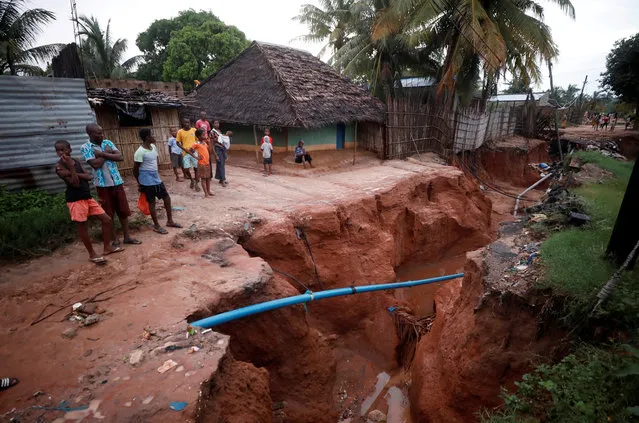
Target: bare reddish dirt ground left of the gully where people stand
<point x="152" y="287"/>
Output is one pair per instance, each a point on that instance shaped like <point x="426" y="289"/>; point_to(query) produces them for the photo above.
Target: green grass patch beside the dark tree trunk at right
<point x="574" y="261"/>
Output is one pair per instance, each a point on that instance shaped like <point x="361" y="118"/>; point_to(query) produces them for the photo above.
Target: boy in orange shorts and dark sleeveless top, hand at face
<point x="81" y="204"/>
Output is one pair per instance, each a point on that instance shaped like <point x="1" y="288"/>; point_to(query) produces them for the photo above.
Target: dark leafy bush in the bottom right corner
<point x="591" y="385"/>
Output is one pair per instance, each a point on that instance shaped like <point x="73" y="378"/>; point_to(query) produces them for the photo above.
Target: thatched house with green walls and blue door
<point x="288" y="90"/>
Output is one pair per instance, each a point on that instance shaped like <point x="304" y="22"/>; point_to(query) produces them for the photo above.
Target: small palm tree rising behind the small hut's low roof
<point x="102" y="57"/>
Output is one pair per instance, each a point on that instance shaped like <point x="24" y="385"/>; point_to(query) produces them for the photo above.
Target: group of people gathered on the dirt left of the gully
<point x="189" y="148"/>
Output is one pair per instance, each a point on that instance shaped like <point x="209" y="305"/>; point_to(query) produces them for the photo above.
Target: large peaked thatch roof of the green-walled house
<point x="271" y="85"/>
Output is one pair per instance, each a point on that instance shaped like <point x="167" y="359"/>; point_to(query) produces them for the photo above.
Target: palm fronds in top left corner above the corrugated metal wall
<point x="19" y="28"/>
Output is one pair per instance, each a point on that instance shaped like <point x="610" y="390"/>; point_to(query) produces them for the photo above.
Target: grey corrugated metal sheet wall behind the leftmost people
<point x="35" y="112"/>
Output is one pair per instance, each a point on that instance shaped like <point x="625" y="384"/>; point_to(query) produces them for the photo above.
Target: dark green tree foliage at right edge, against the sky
<point x="622" y="70"/>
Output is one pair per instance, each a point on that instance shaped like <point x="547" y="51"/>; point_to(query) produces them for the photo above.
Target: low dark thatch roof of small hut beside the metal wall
<point x="131" y="96"/>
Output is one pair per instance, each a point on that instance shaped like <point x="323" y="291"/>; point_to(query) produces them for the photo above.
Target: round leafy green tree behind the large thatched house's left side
<point x="191" y="46"/>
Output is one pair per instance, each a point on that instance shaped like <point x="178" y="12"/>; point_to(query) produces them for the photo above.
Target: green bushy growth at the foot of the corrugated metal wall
<point x="33" y="223"/>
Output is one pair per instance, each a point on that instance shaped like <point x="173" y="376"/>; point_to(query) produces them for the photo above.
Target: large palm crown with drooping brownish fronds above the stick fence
<point x="498" y="34"/>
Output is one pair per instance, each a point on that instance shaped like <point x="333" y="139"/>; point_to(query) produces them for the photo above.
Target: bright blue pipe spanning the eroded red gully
<point x="308" y="296"/>
